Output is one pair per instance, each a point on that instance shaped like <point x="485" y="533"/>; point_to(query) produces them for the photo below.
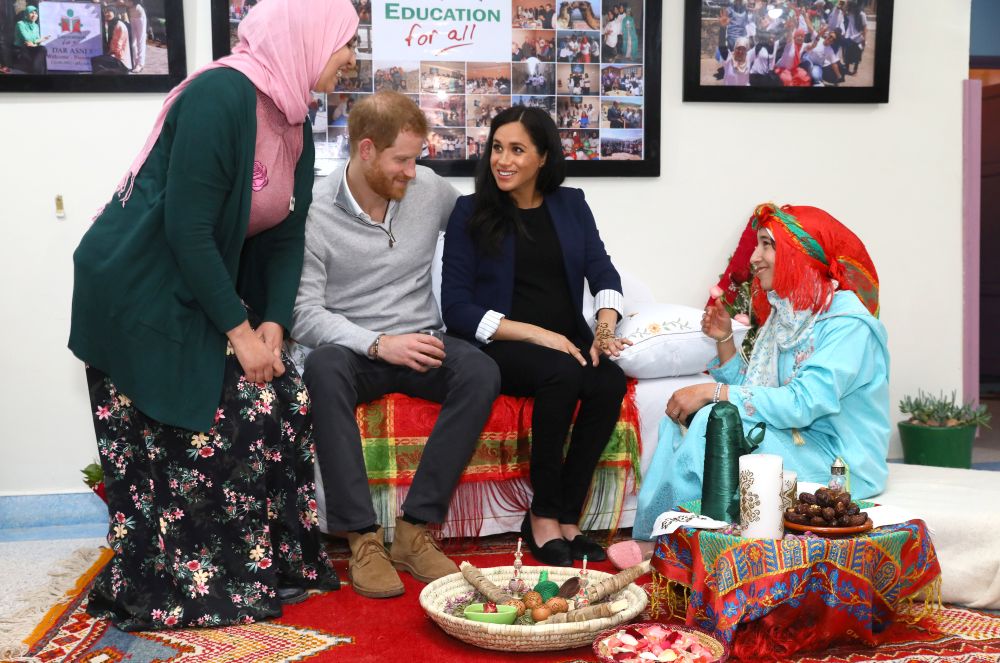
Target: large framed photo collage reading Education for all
<point x="594" y="65"/>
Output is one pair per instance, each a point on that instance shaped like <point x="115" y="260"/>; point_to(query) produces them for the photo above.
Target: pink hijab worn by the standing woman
<point x="283" y="48"/>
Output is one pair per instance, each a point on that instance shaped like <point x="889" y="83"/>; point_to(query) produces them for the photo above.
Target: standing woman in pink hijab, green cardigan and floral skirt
<point x="184" y="286"/>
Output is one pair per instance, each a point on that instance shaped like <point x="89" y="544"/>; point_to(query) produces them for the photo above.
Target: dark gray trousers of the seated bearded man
<point x="339" y="379"/>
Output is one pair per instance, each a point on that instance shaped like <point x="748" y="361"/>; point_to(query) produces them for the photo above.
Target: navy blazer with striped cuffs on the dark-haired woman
<point x="472" y="283"/>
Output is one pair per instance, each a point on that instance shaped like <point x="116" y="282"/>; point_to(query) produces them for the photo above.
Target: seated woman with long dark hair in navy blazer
<point x="515" y="258"/>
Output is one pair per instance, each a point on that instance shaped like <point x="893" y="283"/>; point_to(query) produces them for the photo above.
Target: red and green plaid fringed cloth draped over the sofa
<point x="394" y="430"/>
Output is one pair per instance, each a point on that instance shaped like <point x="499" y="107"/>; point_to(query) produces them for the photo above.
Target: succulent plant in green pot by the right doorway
<point x="940" y="430"/>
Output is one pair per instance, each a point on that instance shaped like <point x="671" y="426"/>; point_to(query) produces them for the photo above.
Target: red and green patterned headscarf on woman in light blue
<point x="812" y="250"/>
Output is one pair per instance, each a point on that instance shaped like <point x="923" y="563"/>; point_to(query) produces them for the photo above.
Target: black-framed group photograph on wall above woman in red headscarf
<point x="820" y="51"/>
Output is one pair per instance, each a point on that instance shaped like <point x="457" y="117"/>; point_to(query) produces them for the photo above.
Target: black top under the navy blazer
<point x="541" y="293"/>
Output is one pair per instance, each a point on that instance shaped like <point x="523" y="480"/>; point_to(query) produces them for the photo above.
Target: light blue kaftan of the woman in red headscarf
<point x="833" y="401"/>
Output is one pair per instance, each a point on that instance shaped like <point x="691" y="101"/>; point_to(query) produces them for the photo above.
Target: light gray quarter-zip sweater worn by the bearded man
<point x="354" y="285"/>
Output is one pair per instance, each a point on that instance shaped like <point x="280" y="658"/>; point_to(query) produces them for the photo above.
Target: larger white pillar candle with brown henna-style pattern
<point x="760" y="496"/>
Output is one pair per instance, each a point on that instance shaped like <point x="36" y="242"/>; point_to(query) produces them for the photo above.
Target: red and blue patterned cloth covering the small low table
<point x="856" y="585"/>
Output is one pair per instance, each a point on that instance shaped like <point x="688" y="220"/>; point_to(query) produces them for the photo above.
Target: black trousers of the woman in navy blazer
<point x="557" y="381"/>
